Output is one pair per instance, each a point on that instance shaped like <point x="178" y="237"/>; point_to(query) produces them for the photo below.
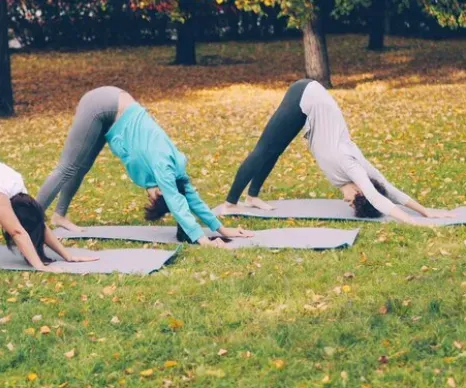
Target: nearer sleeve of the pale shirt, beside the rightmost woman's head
<point x="358" y="175"/>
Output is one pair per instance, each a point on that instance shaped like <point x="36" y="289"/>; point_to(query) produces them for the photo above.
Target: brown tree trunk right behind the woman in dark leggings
<point x="315" y="51"/>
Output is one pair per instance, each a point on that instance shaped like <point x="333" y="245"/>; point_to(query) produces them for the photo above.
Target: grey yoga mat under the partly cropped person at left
<point x="129" y="261"/>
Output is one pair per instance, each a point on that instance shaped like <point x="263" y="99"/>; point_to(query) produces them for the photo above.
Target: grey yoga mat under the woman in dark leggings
<point x="330" y="209"/>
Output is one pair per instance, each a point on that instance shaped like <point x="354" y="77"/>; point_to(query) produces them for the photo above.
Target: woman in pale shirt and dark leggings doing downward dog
<point x="307" y="104"/>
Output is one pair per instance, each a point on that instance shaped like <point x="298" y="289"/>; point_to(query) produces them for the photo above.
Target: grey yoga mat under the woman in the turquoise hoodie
<point x="309" y="238"/>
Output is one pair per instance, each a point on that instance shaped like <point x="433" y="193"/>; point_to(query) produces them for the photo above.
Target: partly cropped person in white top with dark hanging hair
<point x="23" y="223"/>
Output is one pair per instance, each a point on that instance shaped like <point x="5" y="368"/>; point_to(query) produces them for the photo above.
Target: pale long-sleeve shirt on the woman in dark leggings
<point x="339" y="158"/>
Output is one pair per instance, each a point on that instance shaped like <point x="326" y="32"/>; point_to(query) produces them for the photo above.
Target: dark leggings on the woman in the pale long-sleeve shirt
<point x="281" y="129"/>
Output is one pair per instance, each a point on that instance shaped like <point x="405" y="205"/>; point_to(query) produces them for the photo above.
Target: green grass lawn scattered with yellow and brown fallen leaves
<point x="388" y="312"/>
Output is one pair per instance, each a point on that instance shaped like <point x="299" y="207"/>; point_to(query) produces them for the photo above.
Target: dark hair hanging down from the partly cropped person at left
<point x="32" y="218"/>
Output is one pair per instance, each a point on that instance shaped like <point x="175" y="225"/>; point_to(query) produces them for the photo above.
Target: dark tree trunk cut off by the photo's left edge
<point x="6" y="90"/>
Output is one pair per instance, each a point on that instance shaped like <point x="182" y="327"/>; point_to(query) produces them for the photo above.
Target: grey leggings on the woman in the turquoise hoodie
<point x="95" y="114"/>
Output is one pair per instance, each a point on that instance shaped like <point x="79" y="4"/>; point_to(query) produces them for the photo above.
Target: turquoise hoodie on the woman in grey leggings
<point x="152" y="160"/>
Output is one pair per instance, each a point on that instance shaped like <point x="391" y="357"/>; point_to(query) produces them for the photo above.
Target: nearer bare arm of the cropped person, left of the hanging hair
<point x="13" y="227"/>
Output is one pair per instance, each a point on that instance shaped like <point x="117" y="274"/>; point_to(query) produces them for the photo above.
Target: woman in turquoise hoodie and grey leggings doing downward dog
<point x="109" y="114"/>
